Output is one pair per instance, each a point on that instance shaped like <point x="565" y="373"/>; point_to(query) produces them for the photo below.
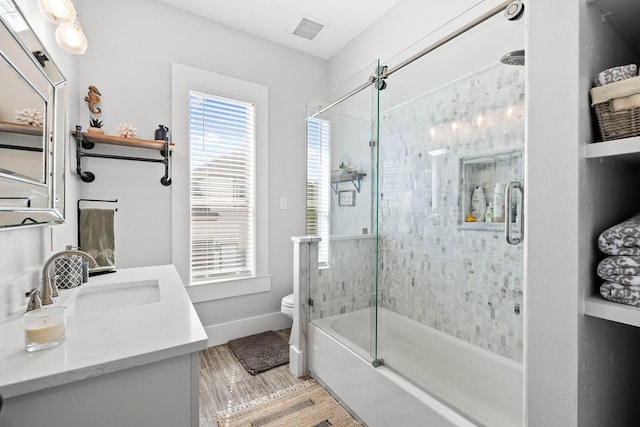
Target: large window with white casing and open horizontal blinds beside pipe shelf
<point x="220" y="190"/>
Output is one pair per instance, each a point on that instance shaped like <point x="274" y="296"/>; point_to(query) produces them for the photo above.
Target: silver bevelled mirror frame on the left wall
<point x="55" y="131"/>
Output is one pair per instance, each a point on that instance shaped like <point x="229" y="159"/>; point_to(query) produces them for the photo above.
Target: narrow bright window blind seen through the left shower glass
<point x="318" y="184"/>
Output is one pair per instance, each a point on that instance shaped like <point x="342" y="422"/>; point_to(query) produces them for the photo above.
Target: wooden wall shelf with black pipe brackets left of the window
<point x="87" y="141"/>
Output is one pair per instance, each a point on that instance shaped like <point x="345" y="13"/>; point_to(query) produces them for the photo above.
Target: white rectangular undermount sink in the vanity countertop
<point x="114" y="296"/>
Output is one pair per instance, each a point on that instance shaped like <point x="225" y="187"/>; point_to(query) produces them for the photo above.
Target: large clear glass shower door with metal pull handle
<point x="450" y="287"/>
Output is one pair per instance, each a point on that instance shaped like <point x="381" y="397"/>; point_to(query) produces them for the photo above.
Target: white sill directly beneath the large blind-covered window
<point x="229" y="288"/>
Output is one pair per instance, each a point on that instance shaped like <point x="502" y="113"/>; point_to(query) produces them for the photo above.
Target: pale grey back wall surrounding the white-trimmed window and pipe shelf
<point x="131" y="48"/>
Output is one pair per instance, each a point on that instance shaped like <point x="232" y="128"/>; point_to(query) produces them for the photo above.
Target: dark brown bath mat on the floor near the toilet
<point x="261" y="352"/>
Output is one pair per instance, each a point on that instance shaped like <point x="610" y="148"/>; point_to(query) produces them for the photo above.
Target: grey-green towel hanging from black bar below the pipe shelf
<point x="97" y="236"/>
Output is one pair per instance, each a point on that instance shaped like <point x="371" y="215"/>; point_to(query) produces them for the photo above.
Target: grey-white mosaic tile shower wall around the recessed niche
<point x="467" y="283"/>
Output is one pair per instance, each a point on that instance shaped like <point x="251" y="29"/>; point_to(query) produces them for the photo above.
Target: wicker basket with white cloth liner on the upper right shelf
<point x="616" y="124"/>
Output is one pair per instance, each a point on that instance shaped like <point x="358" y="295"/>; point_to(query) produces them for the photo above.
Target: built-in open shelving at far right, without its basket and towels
<point x="609" y="172"/>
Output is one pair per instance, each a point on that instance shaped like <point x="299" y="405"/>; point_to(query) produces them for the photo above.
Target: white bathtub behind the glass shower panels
<point x="436" y="368"/>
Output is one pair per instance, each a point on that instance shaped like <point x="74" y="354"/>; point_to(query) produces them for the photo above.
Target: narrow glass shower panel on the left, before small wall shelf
<point x="341" y="209"/>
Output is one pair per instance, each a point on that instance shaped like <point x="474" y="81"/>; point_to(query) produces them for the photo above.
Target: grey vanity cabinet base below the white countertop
<point x="160" y="394"/>
